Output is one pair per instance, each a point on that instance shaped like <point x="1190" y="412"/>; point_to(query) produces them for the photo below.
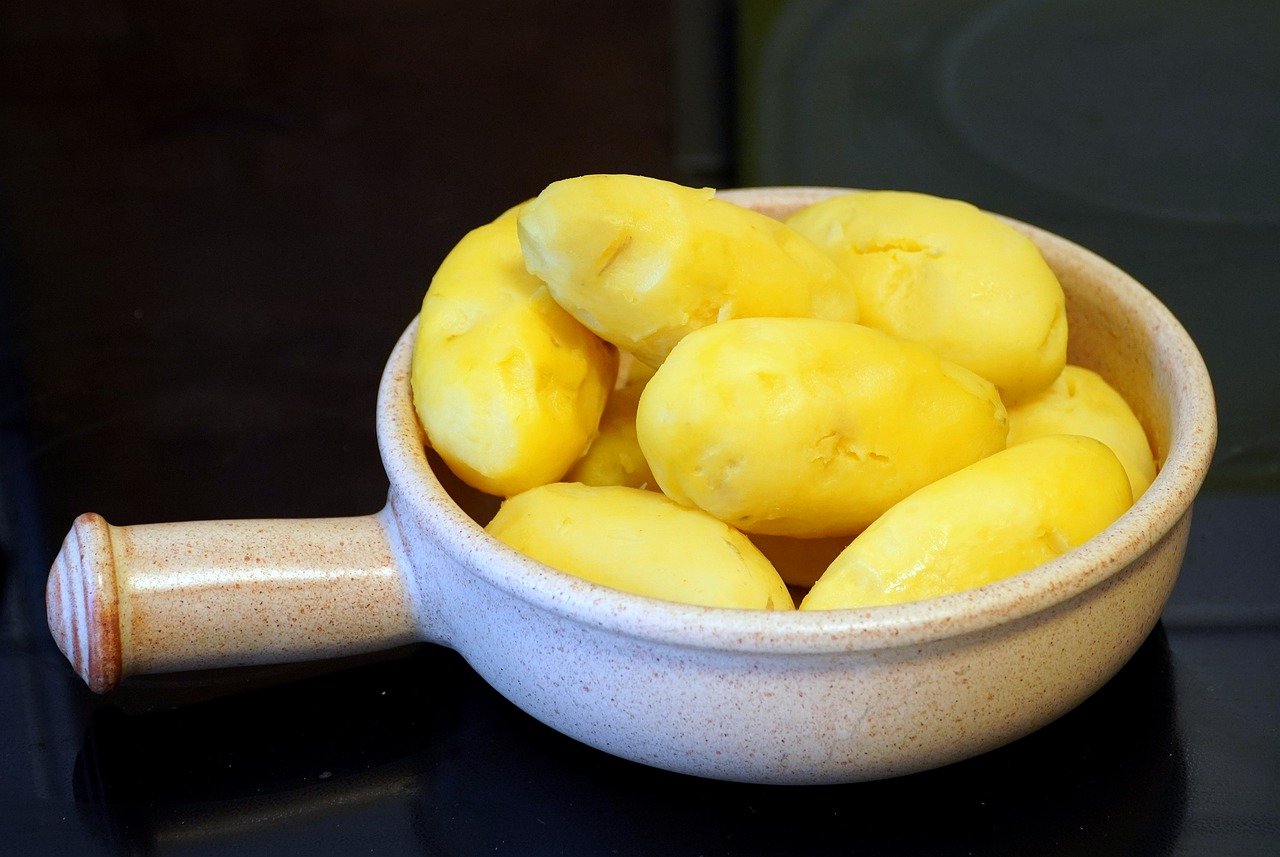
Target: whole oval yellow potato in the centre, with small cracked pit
<point x="807" y="428"/>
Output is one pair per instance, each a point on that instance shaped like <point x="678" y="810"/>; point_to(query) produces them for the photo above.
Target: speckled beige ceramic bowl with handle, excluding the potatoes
<point x="764" y="698"/>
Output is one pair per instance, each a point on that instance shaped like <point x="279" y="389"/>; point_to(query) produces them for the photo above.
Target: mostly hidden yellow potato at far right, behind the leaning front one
<point x="1081" y="404"/>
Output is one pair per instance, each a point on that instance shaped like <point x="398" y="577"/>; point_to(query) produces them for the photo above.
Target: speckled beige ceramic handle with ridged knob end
<point x="175" y="597"/>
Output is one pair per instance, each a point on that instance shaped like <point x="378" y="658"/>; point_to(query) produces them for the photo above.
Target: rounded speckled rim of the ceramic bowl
<point x="1167" y="502"/>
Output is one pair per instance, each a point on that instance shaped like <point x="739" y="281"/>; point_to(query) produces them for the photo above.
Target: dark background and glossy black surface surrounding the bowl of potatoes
<point x="217" y="218"/>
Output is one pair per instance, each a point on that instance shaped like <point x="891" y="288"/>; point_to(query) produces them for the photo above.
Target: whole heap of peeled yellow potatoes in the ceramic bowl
<point x="683" y="398"/>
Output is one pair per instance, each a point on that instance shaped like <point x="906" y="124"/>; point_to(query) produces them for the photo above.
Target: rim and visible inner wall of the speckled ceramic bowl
<point x="1117" y="328"/>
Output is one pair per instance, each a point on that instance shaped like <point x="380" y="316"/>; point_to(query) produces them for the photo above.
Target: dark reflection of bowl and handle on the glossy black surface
<point x="427" y="744"/>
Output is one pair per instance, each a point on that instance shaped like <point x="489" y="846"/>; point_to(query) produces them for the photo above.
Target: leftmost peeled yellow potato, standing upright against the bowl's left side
<point x="508" y="386"/>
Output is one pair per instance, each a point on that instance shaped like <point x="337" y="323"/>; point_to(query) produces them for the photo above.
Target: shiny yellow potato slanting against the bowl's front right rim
<point x="1003" y="516"/>
